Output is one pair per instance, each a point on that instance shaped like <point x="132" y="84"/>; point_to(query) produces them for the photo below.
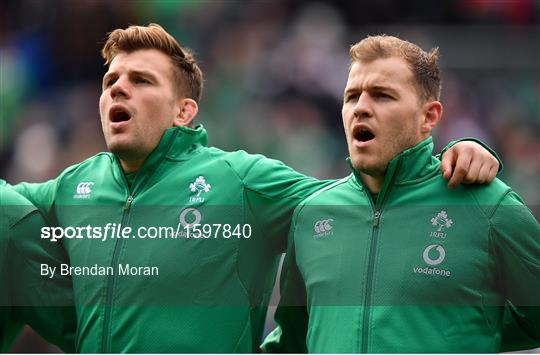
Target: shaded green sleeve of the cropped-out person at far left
<point x="46" y="304"/>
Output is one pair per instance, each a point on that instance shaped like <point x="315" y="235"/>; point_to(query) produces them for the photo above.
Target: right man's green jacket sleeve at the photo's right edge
<point x="515" y="240"/>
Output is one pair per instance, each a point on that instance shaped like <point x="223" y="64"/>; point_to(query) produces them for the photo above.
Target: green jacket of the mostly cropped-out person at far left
<point x="25" y="296"/>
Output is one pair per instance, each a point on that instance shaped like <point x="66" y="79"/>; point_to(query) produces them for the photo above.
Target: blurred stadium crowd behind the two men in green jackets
<point x="274" y="77"/>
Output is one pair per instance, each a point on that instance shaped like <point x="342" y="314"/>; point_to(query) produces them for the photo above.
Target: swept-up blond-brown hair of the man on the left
<point x="187" y="74"/>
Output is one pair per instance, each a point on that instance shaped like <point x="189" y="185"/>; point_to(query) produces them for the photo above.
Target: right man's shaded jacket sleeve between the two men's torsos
<point x="291" y="316"/>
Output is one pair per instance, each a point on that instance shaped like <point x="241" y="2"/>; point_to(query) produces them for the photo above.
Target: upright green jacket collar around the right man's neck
<point x="411" y="165"/>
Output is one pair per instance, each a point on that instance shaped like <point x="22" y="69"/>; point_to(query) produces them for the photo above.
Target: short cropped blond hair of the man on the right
<point x="423" y="64"/>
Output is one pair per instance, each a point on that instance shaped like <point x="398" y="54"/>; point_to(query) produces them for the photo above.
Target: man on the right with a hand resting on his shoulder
<point x="388" y="259"/>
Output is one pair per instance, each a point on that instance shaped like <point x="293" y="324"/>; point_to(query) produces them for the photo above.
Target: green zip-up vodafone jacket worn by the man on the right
<point x="421" y="269"/>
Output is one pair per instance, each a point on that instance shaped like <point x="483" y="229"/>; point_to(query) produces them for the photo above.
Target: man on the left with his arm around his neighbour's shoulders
<point x="205" y="284"/>
